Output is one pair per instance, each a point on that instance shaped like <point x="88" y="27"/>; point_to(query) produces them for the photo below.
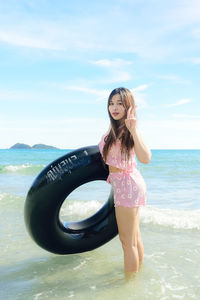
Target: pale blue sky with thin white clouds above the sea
<point x="59" y="60"/>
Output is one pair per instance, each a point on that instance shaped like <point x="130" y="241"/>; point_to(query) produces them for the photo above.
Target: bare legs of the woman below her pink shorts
<point x="128" y="227"/>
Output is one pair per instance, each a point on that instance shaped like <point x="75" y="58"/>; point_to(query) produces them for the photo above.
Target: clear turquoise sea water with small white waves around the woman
<point x="170" y="228"/>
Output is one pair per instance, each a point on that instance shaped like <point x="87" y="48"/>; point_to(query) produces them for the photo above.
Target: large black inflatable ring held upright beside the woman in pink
<point x="47" y="194"/>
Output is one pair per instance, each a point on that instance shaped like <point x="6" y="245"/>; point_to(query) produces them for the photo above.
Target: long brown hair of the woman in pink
<point x="118" y="129"/>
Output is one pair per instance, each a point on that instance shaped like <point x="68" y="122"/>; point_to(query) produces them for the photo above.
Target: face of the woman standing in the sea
<point x="116" y="108"/>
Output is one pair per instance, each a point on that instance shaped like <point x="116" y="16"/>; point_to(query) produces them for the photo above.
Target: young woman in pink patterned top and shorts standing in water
<point x="118" y="148"/>
